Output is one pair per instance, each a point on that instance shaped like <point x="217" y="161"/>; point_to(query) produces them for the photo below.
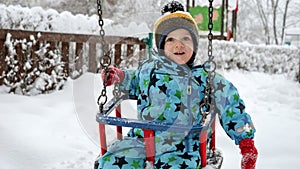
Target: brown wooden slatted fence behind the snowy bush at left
<point x="77" y="50"/>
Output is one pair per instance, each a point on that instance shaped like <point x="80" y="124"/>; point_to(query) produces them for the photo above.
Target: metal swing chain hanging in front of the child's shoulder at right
<point x="210" y="67"/>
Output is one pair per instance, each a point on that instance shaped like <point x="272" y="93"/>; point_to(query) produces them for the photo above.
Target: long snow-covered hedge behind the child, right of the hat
<point x="272" y="59"/>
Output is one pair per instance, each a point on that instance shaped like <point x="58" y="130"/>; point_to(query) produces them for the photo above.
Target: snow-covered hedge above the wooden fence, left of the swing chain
<point x="39" y="19"/>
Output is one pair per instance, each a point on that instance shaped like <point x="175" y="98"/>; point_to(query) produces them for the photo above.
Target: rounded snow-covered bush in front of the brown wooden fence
<point x="29" y="71"/>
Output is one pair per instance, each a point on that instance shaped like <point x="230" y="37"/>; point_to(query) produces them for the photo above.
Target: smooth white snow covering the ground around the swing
<point x="59" y="131"/>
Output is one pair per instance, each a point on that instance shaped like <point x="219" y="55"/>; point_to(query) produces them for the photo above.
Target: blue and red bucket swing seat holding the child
<point x="211" y="157"/>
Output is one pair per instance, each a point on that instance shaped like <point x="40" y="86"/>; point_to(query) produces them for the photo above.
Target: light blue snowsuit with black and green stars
<point x="172" y="93"/>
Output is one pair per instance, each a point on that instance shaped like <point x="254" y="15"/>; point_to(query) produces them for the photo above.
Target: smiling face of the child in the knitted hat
<point x="179" y="46"/>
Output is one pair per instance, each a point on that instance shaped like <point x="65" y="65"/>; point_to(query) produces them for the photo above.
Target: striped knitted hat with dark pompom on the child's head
<point x="173" y="17"/>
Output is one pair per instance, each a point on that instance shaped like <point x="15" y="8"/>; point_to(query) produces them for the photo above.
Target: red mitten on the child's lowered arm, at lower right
<point x="249" y="153"/>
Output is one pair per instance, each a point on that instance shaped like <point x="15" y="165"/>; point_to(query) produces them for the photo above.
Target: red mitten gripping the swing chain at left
<point x="115" y="75"/>
